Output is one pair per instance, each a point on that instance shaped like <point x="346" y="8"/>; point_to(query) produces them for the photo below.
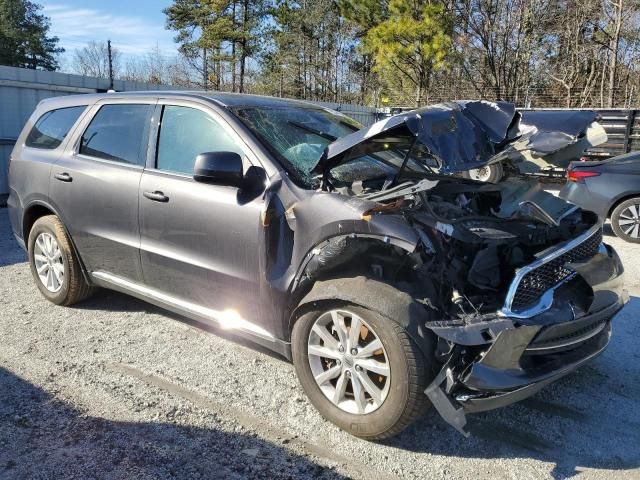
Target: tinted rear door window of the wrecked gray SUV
<point x="117" y="132"/>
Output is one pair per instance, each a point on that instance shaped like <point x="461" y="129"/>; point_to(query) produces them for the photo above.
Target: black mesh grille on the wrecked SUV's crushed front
<point x="549" y="274"/>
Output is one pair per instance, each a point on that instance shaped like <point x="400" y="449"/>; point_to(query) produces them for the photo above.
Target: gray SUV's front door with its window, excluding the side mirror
<point x="199" y="242"/>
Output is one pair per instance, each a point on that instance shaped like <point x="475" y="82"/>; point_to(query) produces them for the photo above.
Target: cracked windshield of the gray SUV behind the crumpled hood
<point x="297" y="136"/>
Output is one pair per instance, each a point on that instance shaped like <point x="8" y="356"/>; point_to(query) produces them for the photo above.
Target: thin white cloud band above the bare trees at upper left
<point x="130" y="34"/>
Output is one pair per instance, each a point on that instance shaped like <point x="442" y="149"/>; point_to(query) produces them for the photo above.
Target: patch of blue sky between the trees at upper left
<point x="133" y="26"/>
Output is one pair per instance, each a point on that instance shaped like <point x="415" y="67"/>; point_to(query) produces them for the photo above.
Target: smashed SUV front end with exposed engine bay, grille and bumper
<point x="518" y="293"/>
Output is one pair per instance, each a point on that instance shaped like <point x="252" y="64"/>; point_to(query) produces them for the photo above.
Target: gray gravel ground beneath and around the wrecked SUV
<point x="116" y="388"/>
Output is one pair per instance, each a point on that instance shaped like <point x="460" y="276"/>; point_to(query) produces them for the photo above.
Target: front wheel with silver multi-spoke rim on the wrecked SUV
<point x="370" y="380"/>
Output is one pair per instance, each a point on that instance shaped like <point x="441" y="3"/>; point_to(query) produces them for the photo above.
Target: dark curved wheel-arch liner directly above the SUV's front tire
<point x="388" y="301"/>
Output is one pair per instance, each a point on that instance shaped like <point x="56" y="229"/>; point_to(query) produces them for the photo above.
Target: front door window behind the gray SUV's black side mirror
<point x="185" y="133"/>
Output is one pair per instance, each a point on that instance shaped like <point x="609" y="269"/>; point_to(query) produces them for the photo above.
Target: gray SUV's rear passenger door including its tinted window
<point x="94" y="185"/>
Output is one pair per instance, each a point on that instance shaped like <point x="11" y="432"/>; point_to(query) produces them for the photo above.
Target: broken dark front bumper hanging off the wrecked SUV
<point x="499" y="361"/>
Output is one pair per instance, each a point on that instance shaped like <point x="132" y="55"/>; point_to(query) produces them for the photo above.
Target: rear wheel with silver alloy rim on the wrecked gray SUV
<point x="54" y="264"/>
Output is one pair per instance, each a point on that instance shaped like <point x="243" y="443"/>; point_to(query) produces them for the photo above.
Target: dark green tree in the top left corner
<point x="24" y="39"/>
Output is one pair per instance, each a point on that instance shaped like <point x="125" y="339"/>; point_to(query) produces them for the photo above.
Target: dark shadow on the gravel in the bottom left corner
<point x="43" y="437"/>
